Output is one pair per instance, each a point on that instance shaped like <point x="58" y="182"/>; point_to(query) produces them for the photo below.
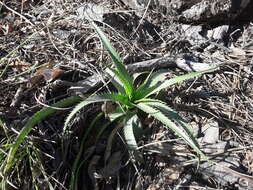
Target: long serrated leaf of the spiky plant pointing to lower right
<point x="159" y="115"/>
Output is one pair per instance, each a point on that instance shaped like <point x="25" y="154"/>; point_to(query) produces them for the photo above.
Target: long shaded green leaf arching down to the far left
<point x="35" y="119"/>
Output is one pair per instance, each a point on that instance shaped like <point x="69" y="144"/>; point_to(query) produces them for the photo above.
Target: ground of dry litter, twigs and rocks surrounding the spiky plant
<point x="49" y="51"/>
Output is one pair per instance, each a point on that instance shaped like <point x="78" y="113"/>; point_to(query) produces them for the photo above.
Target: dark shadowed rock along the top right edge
<point x="203" y="11"/>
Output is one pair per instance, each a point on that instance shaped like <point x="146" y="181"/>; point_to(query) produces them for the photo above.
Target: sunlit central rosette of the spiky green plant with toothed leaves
<point x="131" y="99"/>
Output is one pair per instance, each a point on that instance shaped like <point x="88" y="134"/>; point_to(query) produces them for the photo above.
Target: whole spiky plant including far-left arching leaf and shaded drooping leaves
<point x="131" y="97"/>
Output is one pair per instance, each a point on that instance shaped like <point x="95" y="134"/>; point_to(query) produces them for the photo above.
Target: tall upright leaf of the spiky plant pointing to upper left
<point x="120" y="71"/>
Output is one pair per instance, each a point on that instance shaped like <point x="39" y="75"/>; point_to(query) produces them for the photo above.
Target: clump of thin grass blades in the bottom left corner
<point x="27" y="168"/>
